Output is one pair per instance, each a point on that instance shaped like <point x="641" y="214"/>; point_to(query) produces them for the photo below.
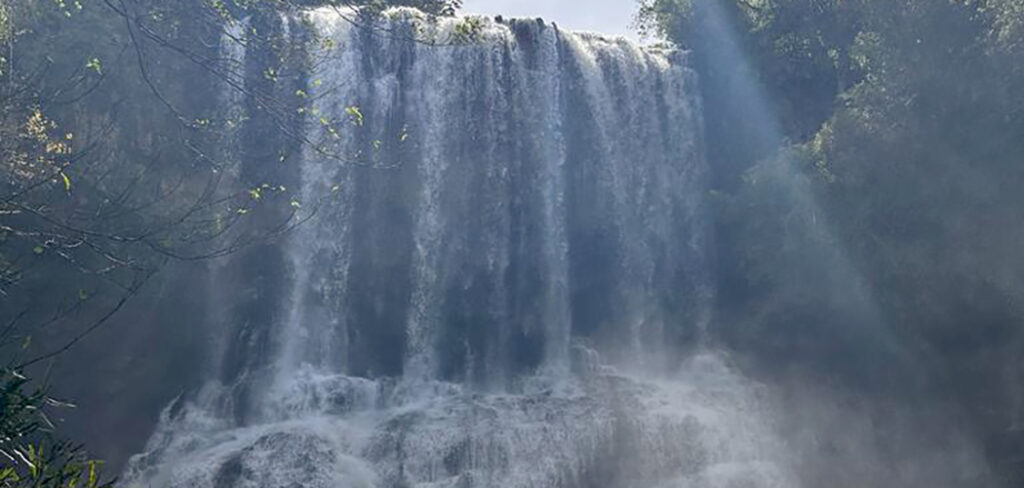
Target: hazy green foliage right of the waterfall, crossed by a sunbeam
<point x="902" y="123"/>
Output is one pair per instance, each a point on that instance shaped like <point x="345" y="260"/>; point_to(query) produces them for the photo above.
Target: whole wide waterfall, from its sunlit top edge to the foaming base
<point x="507" y="289"/>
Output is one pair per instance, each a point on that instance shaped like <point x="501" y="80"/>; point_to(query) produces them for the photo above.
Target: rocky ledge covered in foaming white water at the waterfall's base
<point x="707" y="428"/>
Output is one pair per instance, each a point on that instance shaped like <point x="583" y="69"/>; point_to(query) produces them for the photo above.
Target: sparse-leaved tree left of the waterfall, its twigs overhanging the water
<point x="112" y="174"/>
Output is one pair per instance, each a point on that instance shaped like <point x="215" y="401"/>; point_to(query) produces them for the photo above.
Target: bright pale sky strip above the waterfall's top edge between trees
<point x="607" y="17"/>
